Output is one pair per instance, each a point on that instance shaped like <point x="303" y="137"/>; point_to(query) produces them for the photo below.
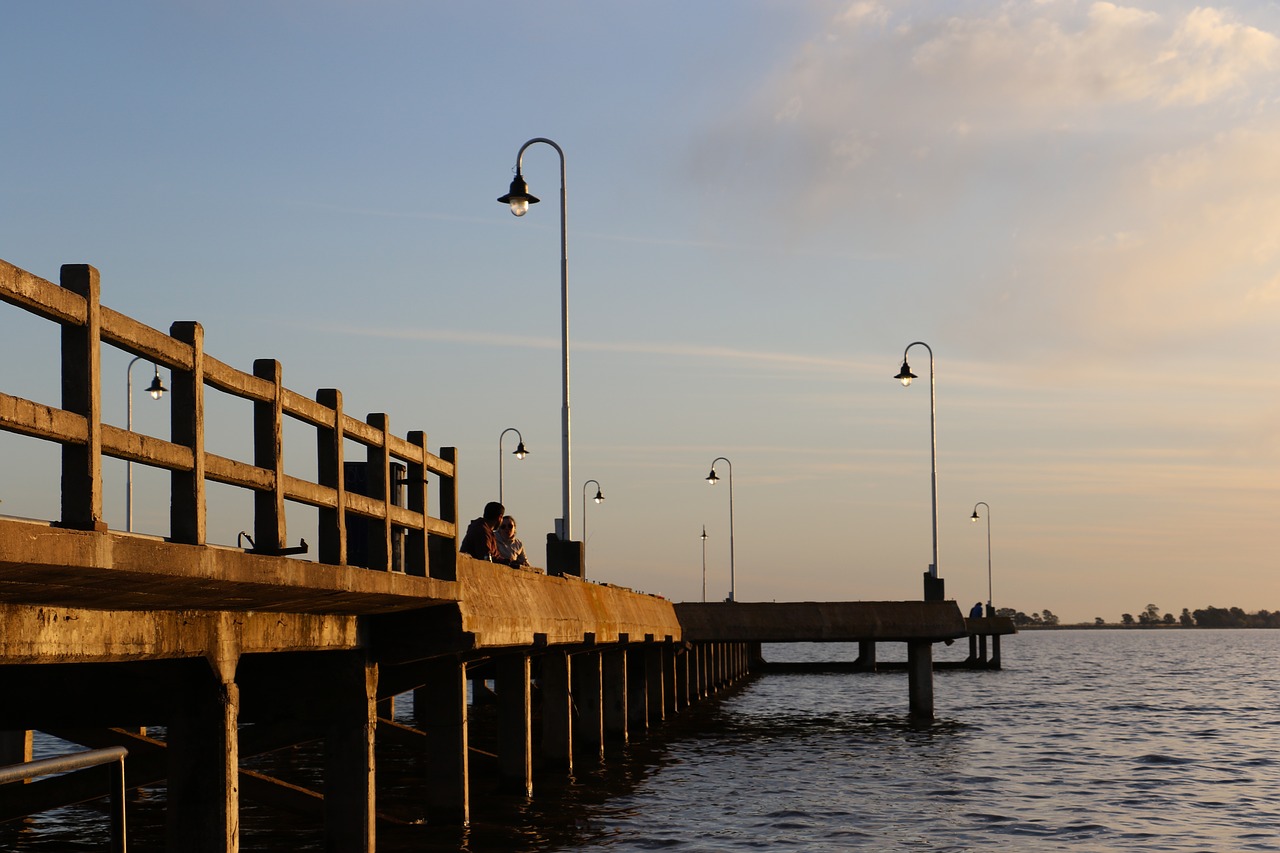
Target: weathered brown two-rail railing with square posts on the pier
<point x="386" y="531"/>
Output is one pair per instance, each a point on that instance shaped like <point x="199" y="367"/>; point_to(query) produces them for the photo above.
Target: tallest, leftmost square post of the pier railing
<point x="83" y="395"/>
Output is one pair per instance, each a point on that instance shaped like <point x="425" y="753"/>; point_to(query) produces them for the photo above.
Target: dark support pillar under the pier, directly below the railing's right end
<point x="441" y="708"/>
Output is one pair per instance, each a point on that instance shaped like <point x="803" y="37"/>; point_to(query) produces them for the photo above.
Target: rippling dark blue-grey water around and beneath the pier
<point x="1086" y="741"/>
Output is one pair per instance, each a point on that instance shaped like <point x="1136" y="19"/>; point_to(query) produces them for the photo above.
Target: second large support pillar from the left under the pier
<point x="350" y="767"/>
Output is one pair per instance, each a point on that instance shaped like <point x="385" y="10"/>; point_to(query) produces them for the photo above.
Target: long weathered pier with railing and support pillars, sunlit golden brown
<point x="237" y="653"/>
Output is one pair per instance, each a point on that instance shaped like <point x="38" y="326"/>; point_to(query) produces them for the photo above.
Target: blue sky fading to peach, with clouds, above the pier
<point x="1075" y="206"/>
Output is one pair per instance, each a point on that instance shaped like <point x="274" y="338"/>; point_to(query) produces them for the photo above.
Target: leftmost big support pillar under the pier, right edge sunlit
<point x="203" y="814"/>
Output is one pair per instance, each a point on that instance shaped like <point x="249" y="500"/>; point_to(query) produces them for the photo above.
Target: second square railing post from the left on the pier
<point x="188" y="428"/>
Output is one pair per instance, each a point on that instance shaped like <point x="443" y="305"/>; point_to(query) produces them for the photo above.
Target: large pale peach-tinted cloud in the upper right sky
<point x="1089" y="176"/>
